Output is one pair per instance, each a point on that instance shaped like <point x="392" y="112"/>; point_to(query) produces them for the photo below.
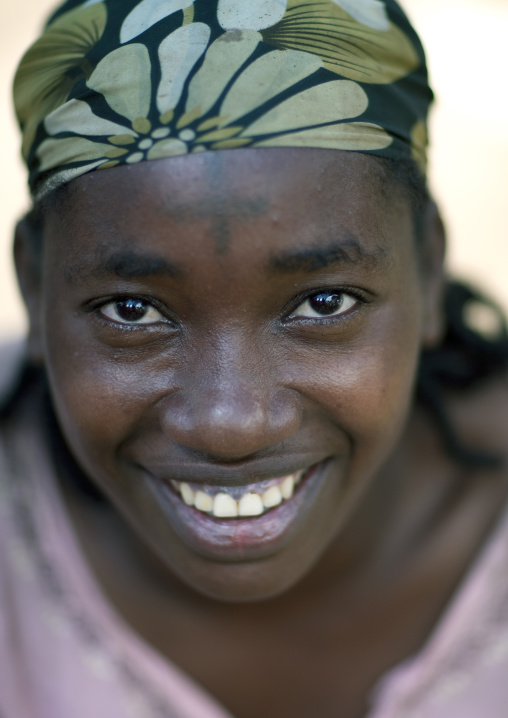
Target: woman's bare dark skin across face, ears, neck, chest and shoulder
<point x="227" y="379"/>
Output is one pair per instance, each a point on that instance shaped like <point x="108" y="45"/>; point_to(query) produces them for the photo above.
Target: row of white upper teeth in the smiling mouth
<point x="222" y="505"/>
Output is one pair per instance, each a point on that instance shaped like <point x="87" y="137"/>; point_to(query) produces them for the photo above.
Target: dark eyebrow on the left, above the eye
<point x="127" y="264"/>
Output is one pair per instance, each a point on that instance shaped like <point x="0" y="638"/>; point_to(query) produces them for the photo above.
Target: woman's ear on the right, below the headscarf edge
<point x="434" y="277"/>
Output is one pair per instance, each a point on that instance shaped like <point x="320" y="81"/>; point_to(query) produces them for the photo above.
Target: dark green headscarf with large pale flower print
<point x="122" y="81"/>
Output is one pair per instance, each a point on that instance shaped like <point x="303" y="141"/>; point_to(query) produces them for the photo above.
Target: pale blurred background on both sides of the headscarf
<point x="466" y="46"/>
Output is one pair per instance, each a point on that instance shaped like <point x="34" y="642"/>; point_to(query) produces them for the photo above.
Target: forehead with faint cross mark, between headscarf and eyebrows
<point x="244" y="200"/>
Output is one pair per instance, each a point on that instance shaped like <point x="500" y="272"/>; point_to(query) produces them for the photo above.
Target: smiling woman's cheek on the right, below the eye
<point x="367" y="388"/>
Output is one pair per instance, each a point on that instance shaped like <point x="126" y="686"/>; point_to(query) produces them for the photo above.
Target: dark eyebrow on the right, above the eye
<point x="348" y="251"/>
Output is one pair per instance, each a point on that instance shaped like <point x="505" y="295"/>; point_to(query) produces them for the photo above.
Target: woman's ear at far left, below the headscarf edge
<point x="28" y="261"/>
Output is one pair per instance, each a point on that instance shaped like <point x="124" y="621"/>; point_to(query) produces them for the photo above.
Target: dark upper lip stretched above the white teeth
<point x="238" y="474"/>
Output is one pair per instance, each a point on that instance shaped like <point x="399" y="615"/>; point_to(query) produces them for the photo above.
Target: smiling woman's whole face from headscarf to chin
<point x="218" y="327"/>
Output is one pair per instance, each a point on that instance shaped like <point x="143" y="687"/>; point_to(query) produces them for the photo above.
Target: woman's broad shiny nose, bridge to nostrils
<point x="230" y="407"/>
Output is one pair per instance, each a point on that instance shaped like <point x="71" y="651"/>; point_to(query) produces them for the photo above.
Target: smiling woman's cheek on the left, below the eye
<point x="99" y="393"/>
